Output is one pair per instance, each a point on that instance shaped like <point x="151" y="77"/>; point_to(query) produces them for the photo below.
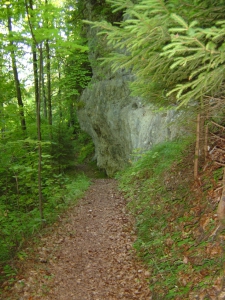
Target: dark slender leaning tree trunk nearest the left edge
<point x="16" y="77"/>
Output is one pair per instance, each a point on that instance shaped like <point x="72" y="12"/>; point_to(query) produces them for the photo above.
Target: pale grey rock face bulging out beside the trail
<point x="119" y="123"/>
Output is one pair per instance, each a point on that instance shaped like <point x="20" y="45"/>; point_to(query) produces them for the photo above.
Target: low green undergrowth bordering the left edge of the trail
<point x="17" y="226"/>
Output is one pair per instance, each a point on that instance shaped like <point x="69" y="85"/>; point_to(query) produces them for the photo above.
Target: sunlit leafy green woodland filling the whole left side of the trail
<point x="66" y="72"/>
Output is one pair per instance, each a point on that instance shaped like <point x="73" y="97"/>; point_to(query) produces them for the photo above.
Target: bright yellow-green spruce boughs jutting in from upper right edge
<point x="199" y="52"/>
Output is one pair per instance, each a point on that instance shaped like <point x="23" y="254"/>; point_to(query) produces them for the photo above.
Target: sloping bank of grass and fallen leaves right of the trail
<point x="174" y="222"/>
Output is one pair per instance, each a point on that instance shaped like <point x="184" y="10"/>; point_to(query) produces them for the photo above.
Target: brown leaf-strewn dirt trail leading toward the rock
<point x="88" y="255"/>
